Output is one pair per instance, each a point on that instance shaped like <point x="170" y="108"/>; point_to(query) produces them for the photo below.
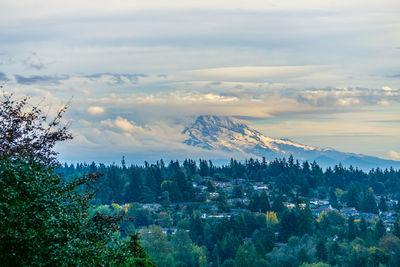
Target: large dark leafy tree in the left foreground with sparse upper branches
<point x="46" y="221"/>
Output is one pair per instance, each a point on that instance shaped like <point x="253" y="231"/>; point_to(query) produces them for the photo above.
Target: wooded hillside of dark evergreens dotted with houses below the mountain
<point x="254" y="213"/>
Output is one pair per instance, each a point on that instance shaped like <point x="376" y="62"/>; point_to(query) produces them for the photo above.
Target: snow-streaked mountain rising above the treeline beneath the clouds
<point x="233" y="135"/>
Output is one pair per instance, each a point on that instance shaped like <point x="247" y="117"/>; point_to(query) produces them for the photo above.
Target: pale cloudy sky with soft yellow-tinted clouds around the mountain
<point x="136" y="73"/>
